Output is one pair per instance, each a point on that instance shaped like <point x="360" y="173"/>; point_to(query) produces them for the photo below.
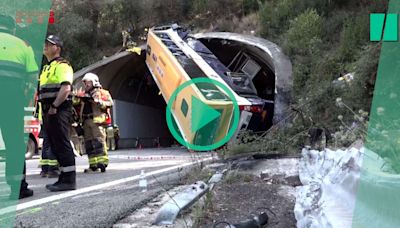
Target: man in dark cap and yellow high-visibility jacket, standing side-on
<point x="55" y="96"/>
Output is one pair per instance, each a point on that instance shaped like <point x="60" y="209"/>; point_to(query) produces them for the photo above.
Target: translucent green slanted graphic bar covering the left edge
<point x="23" y="26"/>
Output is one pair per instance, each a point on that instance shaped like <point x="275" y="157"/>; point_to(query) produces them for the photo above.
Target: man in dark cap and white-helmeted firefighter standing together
<point x="89" y="107"/>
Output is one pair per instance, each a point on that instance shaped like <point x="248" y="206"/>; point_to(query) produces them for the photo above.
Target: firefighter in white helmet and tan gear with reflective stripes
<point x="95" y="105"/>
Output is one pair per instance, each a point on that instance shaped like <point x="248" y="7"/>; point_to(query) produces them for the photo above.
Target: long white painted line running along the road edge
<point x="37" y="202"/>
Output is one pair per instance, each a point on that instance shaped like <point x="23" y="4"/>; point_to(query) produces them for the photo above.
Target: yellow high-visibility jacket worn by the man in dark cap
<point x="55" y="74"/>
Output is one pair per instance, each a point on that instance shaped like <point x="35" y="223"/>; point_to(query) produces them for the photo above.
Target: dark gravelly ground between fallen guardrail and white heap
<point x="254" y="187"/>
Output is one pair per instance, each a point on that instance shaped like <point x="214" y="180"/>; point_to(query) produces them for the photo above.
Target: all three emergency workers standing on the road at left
<point x="59" y="106"/>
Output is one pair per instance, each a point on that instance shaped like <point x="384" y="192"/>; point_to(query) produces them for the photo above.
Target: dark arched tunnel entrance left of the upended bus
<point x="139" y="110"/>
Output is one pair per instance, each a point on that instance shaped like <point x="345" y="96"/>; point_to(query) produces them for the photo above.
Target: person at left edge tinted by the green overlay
<point x="17" y="65"/>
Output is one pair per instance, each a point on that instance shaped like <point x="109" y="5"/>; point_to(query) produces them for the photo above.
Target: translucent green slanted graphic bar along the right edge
<point x="378" y="193"/>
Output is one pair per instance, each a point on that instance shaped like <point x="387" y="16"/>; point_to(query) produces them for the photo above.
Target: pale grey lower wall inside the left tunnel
<point x="140" y="122"/>
